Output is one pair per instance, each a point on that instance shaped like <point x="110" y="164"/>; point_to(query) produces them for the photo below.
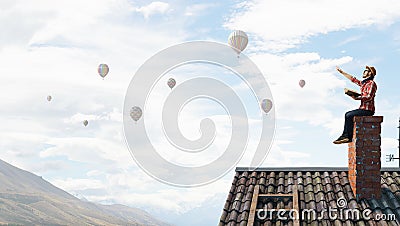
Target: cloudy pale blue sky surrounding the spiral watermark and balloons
<point x="54" y="47"/>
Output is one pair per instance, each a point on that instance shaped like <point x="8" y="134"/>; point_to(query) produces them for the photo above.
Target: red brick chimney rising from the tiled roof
<point x="365" y="157"/>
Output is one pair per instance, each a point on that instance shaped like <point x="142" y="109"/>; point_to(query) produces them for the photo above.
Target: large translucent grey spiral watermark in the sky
<point x="204" y="86"/>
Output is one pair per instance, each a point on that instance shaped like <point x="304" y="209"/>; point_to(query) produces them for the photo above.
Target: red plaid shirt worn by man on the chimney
<point x="368" y="90"/>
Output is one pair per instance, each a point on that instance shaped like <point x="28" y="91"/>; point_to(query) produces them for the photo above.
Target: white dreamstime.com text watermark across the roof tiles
<point x="342" y="212"/>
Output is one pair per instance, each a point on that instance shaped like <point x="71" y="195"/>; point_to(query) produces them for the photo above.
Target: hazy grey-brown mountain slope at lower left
<point x="27" y="199"/>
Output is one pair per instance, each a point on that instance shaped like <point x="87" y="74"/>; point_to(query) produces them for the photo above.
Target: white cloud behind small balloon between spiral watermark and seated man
<point x="283" y="73"/>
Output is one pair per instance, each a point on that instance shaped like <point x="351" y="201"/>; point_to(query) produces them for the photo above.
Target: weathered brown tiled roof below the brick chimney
<point x="318" y="189"/>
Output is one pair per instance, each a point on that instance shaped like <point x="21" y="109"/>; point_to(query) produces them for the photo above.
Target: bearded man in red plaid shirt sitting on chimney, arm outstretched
<point x="367" y="107"/>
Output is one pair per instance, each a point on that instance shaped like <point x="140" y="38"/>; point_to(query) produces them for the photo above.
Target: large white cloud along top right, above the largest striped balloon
<point x="281" y="25"/>
